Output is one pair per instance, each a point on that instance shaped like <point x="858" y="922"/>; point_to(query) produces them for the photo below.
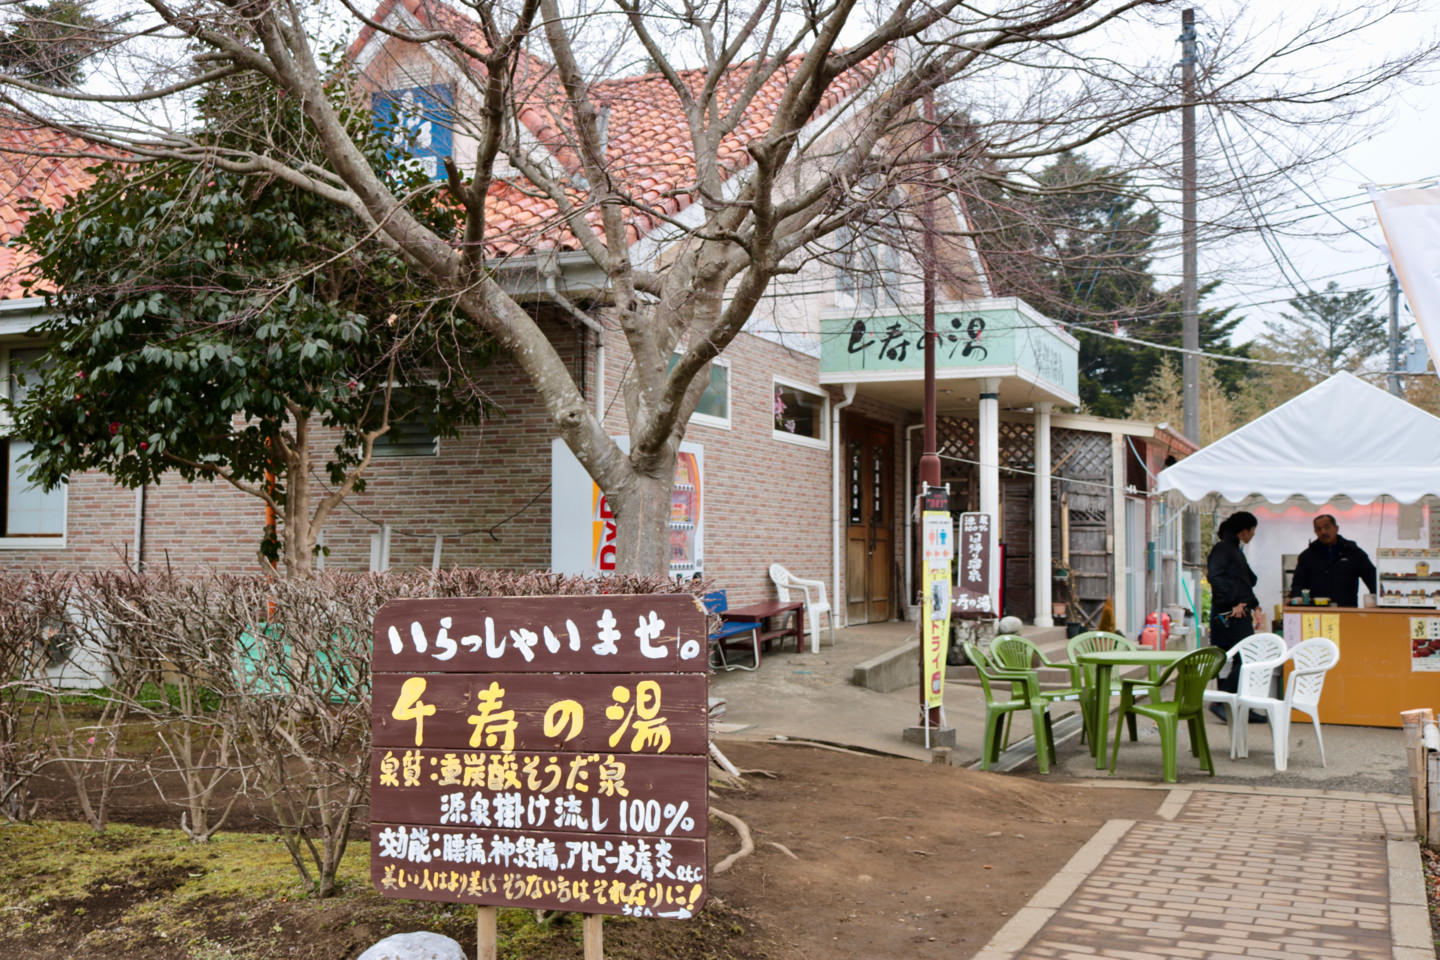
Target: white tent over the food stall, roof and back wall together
<point x="1343" y="448"/>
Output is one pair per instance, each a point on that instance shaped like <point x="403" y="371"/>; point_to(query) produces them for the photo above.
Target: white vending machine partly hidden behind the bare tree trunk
<point x="582" y="525"/>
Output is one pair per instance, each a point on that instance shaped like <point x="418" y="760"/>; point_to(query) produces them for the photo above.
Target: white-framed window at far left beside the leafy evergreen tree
<point x="32" y="517"/>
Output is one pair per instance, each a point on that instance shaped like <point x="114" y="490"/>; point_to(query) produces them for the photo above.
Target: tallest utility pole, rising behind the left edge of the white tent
<point x="1190" y="263"/>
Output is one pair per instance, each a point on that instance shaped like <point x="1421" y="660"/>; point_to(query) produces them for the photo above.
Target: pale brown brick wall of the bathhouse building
<point x="765" y="500"/>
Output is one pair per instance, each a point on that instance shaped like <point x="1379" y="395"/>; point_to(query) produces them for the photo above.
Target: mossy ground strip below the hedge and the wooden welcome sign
<point x="148" y="893"/>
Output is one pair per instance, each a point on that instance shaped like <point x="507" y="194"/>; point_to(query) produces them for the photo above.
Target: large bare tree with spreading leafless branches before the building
<point x="784" y="120"/>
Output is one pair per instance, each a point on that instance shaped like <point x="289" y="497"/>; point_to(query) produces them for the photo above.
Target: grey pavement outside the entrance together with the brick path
<point x="1324" y="864"/>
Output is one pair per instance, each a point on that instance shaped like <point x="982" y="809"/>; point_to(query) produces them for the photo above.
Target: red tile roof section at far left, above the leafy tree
<point x="38" y="166"/>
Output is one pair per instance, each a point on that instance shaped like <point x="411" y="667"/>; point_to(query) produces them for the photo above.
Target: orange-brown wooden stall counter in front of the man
<point x="1390" y="660"/>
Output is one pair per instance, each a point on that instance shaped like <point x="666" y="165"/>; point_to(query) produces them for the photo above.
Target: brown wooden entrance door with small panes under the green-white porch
<point x="870" y="529"/>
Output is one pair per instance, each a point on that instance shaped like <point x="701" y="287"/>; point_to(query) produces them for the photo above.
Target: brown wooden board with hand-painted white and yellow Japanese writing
<point x="542" y="752"/>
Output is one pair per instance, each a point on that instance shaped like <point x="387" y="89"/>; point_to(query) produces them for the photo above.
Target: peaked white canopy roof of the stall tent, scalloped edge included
<point x="1338" y="440"/>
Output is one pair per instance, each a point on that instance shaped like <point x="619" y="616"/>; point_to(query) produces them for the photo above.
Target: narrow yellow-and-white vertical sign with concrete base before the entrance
<point x="937" y="553"/>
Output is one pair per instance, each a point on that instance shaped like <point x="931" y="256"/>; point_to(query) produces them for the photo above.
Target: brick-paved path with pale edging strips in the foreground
<point x="1310" y="874"/>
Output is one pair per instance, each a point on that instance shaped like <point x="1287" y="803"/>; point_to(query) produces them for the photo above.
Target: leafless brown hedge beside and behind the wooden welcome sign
<point x="251" y="687"/>
